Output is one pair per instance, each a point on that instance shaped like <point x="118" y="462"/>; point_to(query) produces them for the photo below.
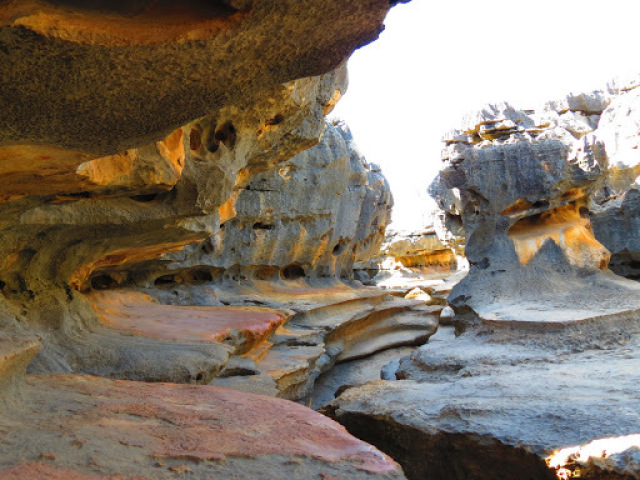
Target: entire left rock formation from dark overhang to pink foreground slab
<point x="131" y="130"/>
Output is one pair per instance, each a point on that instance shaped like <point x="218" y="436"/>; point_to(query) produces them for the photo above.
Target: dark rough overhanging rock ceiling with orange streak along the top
<point x="83" y="72"/>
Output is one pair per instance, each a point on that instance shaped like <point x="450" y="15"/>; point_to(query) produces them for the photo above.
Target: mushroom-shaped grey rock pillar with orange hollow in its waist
<point x="525" y="182"/>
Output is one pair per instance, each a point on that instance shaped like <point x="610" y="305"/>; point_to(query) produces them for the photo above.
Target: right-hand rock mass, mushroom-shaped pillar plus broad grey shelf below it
<point x="537" y="377"/>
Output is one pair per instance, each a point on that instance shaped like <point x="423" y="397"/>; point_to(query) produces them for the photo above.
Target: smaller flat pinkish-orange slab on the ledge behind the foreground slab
<point x="135" y="312"/>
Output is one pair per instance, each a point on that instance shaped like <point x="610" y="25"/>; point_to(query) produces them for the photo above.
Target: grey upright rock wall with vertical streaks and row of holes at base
<point x="312" y="216"/>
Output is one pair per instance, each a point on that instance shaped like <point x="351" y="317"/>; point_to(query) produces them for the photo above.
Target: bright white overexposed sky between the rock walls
<point x="437" y="60"/>
